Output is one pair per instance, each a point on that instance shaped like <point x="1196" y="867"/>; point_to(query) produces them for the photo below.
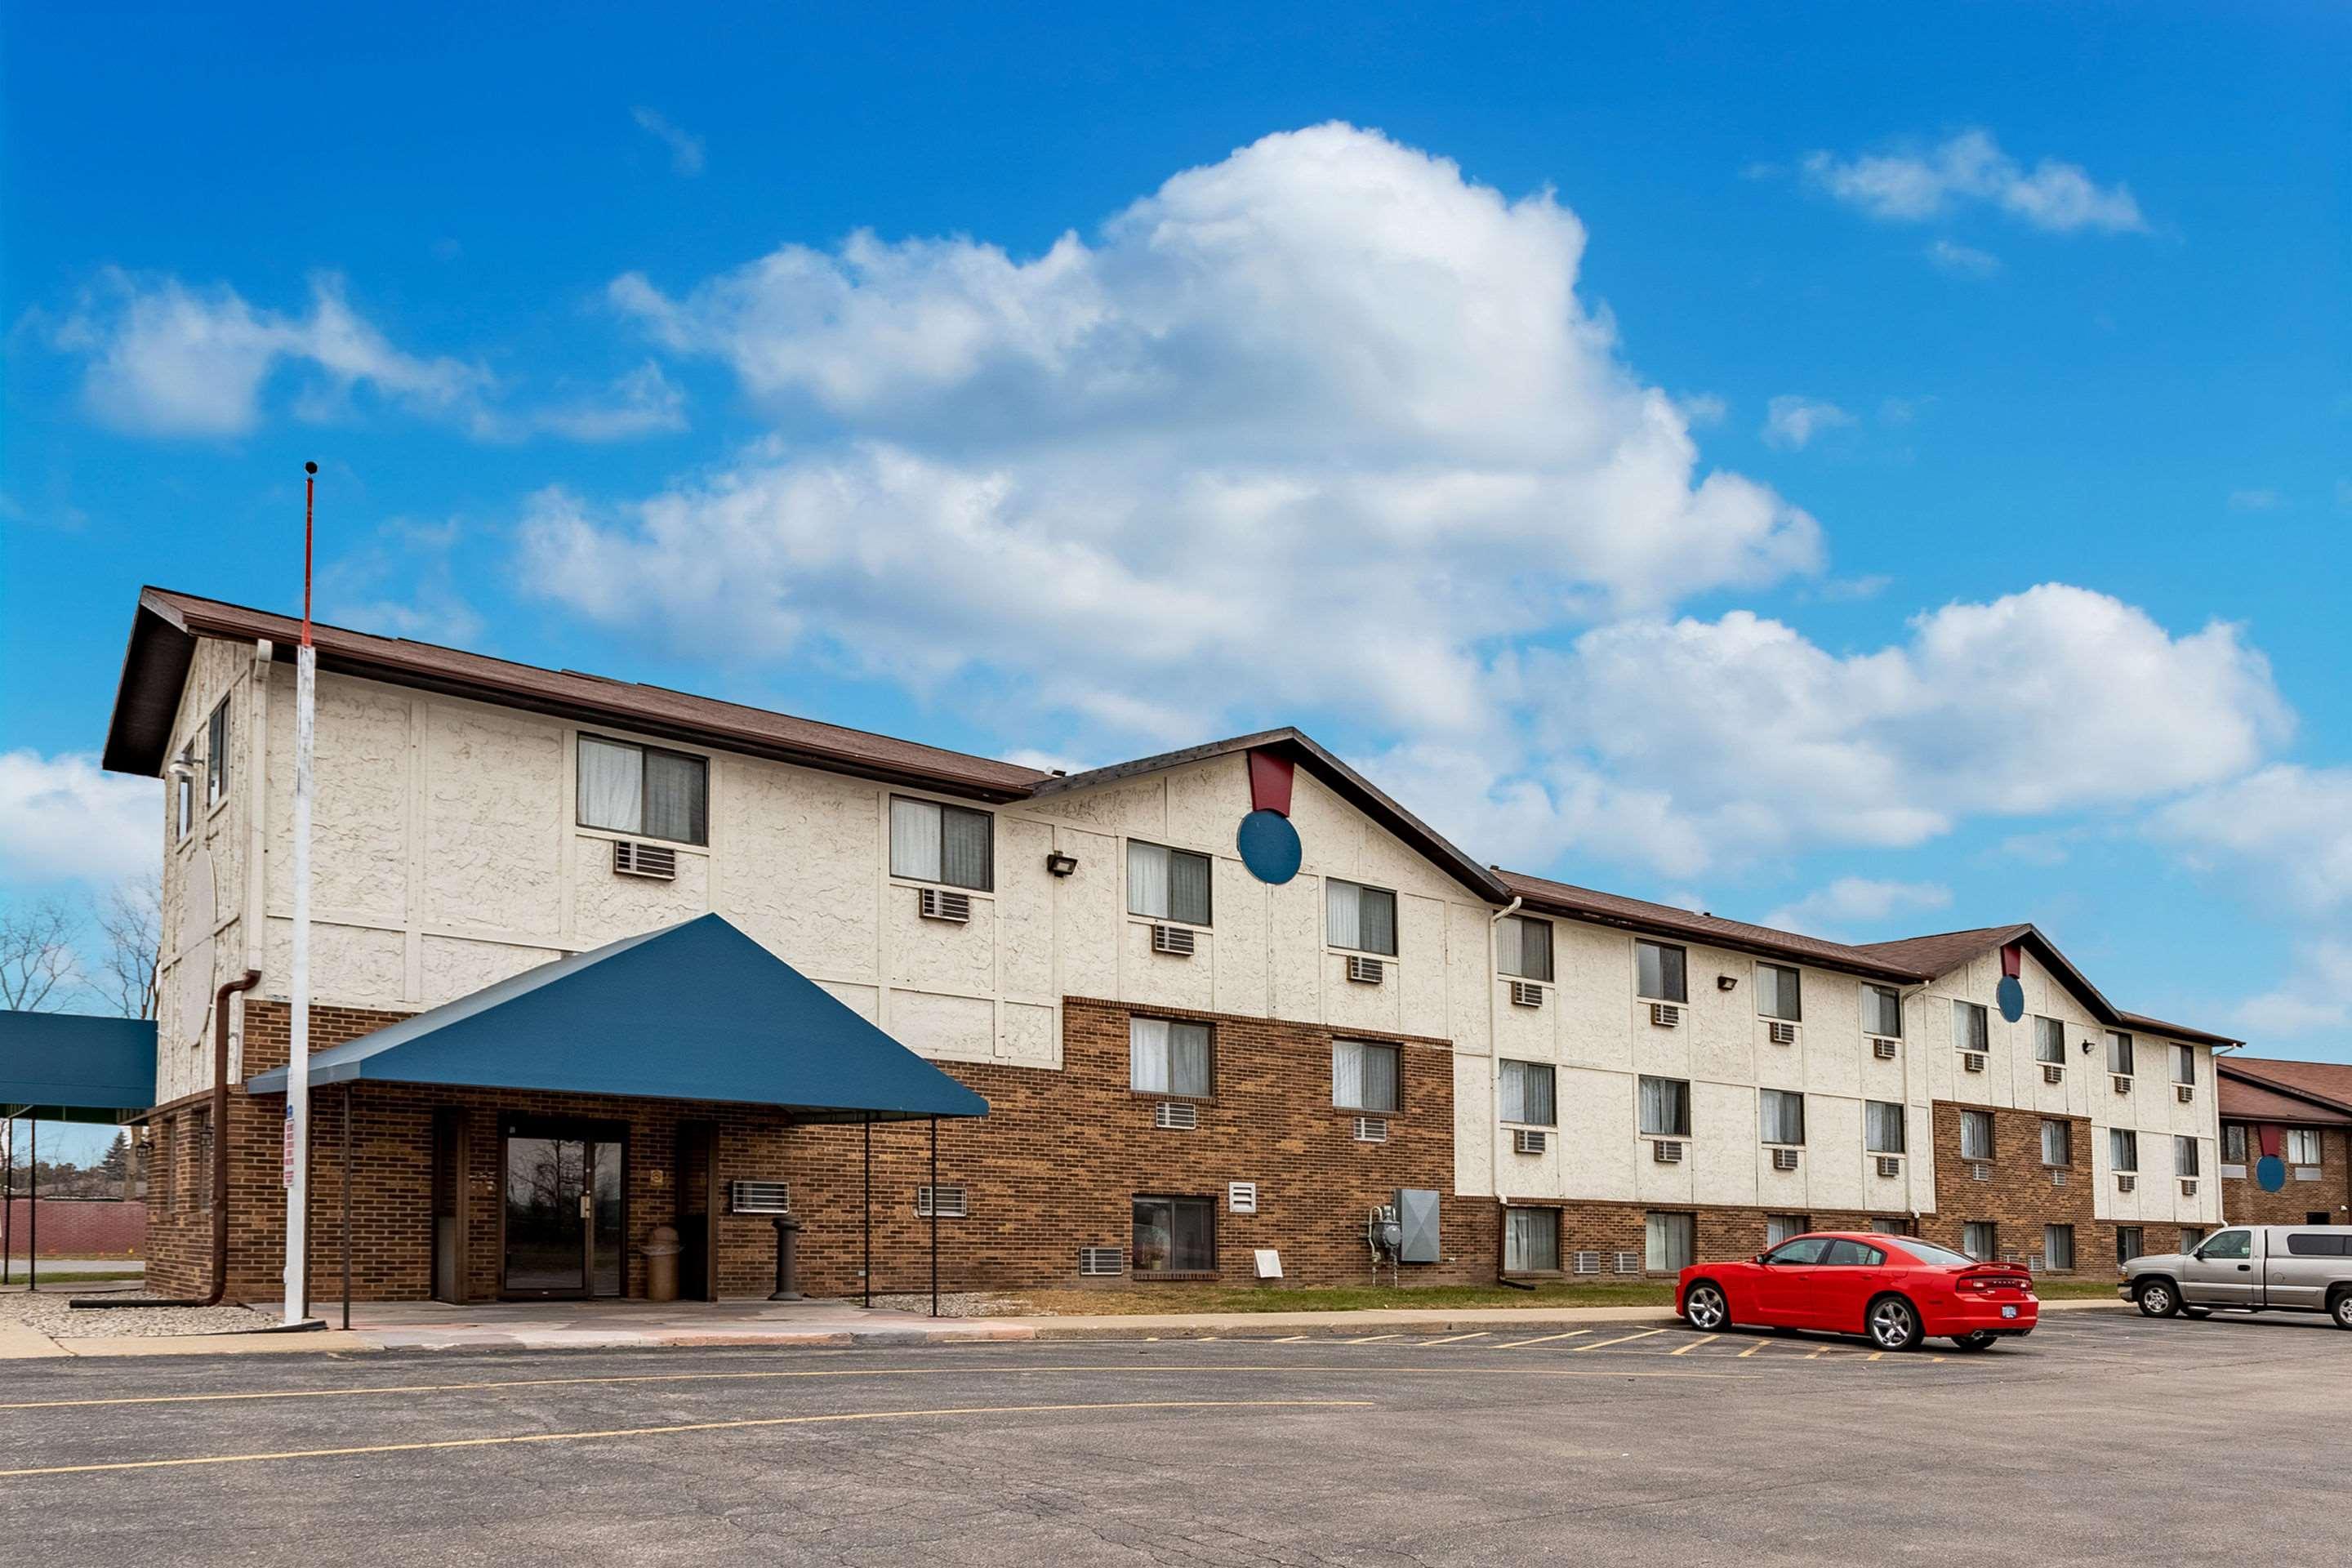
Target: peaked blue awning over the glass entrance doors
<point x="695" y="1012"/>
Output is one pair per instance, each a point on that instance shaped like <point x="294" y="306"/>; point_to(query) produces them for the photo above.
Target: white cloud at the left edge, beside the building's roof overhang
<point x="65" y="819"/>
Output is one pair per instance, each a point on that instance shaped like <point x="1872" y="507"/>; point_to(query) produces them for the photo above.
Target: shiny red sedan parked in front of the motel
<point x="1895" y="1289"/>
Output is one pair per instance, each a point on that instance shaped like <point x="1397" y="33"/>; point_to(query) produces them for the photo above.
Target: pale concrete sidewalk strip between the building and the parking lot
<point x="813" y="1325"/>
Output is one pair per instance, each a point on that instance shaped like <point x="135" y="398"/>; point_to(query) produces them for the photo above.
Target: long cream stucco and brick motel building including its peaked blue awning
<point x="1215" y="1003"/>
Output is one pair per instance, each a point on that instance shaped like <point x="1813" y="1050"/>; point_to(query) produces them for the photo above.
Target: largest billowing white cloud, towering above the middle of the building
<point x="1311" y="424"/>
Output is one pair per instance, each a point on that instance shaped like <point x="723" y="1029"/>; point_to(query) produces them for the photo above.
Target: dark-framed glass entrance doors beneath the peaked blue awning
<point x="566" y="1214"/>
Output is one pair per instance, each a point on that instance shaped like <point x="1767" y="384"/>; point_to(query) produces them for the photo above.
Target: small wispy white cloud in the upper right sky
<point x="1920" y="185"/>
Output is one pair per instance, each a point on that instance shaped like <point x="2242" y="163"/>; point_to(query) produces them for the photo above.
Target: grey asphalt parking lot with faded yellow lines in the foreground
<point x="2102" y="1438"/>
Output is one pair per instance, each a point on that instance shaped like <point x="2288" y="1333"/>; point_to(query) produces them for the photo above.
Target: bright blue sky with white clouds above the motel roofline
<point x="1878" y="471"/>
